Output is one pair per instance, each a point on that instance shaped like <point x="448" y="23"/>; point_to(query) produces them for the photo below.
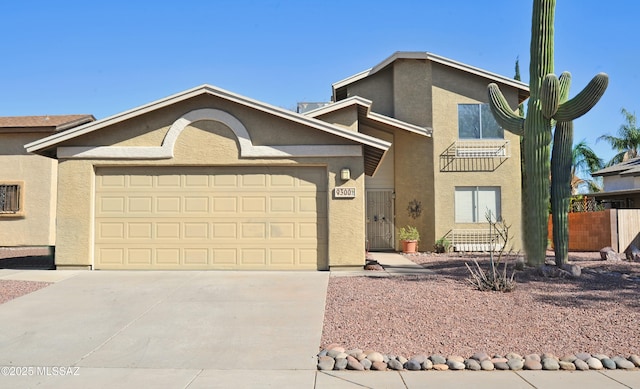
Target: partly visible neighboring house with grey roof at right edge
<point x="621" y="185"/>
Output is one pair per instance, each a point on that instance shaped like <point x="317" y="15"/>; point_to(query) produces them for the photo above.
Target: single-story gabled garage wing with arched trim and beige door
<point x="208" y="179"/>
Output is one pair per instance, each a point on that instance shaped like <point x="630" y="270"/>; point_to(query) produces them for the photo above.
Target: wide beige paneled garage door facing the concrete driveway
<point x="211" y="218"/>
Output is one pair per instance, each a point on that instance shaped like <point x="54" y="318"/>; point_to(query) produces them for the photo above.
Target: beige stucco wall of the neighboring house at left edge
<point x="37" y="226"/>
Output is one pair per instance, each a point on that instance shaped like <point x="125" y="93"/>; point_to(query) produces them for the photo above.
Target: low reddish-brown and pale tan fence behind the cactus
<point x="591" y="231"/>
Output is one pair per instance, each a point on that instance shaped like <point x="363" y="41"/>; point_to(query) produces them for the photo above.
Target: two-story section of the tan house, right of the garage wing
<point x="444" y="180"/>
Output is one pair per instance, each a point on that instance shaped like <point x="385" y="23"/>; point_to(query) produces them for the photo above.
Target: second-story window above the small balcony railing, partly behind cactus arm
<point x="475" y="121"/>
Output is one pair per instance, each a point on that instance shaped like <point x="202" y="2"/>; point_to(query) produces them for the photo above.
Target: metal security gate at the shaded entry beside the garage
<point x="380" y="233"/>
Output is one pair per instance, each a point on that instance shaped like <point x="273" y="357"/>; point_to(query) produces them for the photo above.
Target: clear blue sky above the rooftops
<point x="64" y="57"/>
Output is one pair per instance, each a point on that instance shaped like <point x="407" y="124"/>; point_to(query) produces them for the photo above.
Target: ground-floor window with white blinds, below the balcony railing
<point x="473" y="202"/>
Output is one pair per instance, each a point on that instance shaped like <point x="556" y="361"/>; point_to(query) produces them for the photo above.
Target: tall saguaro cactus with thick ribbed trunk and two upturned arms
<point x="543" y="108"/>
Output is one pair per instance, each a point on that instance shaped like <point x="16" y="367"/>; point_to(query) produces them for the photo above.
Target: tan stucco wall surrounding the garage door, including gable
<point x="208" y="143"/>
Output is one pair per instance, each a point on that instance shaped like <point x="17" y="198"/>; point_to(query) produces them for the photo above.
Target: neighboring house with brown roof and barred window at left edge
<point x="27" y="181"/>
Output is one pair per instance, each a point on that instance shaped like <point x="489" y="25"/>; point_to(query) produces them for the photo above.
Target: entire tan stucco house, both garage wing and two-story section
<point x="208" y="179"/>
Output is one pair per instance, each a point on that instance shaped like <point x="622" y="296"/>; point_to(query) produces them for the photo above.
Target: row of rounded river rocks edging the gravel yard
<point x="335" y="357"/>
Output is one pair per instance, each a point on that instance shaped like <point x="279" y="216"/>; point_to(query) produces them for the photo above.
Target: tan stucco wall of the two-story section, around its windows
<point x="427" y="94"/>
